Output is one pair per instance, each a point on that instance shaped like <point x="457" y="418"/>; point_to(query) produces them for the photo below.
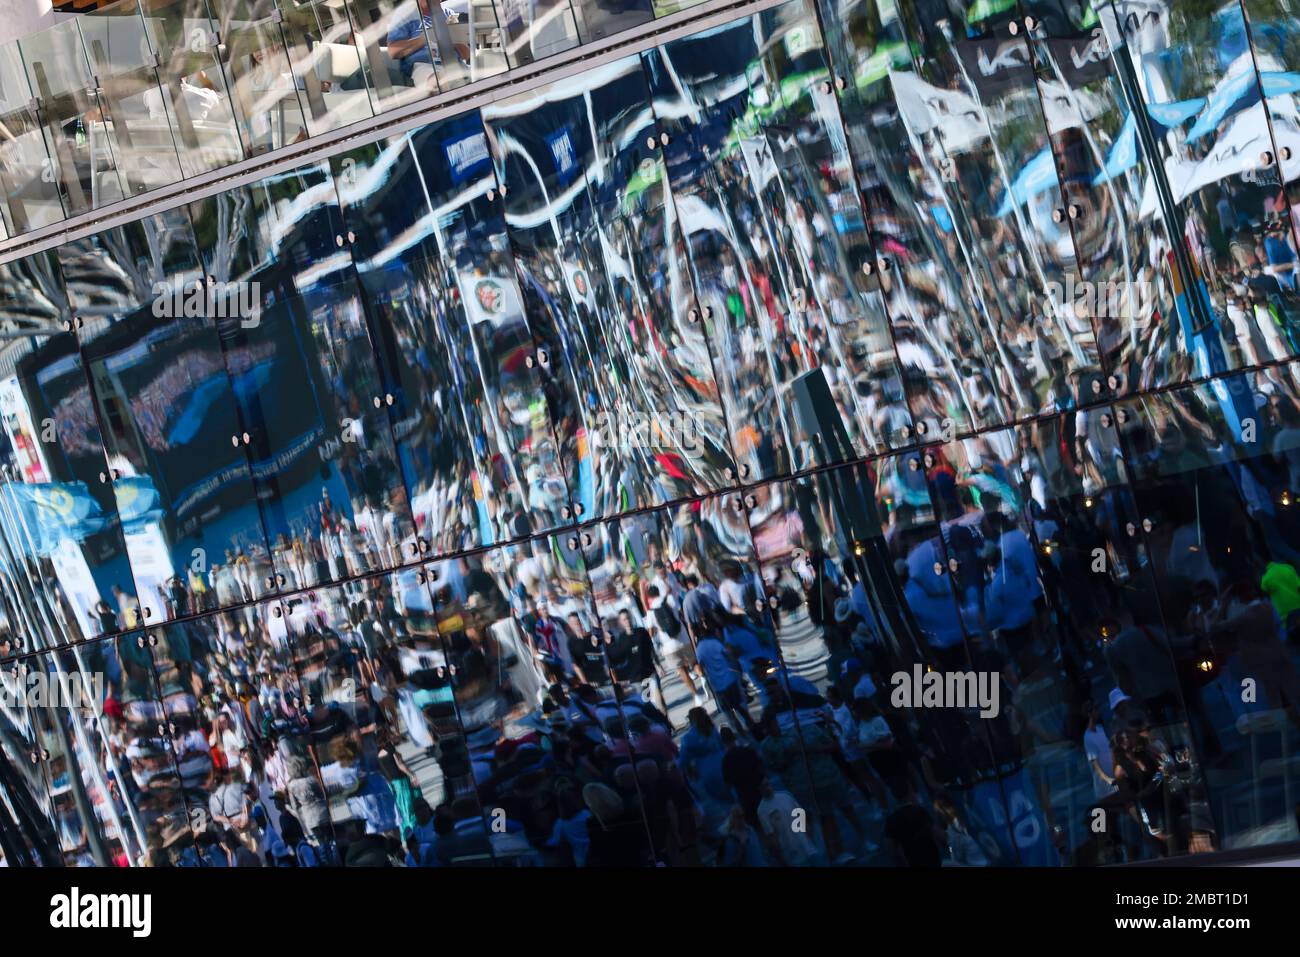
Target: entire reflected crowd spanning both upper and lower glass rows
<point x="694" y="677"/>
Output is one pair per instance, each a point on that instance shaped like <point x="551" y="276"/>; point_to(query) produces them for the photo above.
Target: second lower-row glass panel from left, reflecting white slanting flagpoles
<point x="110" y="768"/>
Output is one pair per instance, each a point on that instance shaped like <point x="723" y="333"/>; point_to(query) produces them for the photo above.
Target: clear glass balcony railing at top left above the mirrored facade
<point x="145" y="94"/>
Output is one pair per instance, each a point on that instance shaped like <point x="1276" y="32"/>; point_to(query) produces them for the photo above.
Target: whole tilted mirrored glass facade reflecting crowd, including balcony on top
<point x="580" y="479"/>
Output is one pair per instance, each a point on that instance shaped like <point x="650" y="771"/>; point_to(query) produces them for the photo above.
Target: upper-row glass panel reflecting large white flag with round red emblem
<point x="473" y="423"/>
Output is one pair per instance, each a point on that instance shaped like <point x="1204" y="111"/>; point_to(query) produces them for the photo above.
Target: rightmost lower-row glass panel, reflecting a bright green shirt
<point x="1215" y="490"/>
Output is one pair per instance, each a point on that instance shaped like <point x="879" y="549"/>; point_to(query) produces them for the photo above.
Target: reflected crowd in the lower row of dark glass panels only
<point x="691" y="682"/>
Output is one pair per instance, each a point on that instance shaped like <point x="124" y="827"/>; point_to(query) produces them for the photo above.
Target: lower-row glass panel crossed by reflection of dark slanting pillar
<point x="861" y="575"/>
